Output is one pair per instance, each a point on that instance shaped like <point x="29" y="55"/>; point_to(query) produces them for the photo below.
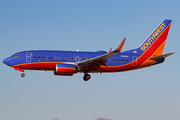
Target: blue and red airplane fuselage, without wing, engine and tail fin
<point x="47" y="60"/>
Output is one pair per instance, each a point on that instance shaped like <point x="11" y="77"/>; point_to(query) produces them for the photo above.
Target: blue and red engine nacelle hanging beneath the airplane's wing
<point x="65" y="69"/>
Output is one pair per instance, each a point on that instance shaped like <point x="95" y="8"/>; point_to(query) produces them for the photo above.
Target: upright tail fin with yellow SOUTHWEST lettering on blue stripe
<point x="154" y="44"/>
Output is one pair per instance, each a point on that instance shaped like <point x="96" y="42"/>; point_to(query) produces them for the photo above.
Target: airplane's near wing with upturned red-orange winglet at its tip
<point x="96" y="62"/>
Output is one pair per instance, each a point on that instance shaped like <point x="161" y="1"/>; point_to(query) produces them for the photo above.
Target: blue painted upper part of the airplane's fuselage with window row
<point x="67" y="56"/>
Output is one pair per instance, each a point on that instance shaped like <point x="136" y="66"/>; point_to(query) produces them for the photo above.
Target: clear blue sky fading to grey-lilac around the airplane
<point x="146" y="94"/>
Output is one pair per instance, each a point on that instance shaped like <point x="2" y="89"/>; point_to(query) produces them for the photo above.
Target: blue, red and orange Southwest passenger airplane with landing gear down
<point x="67" y="63"/>
